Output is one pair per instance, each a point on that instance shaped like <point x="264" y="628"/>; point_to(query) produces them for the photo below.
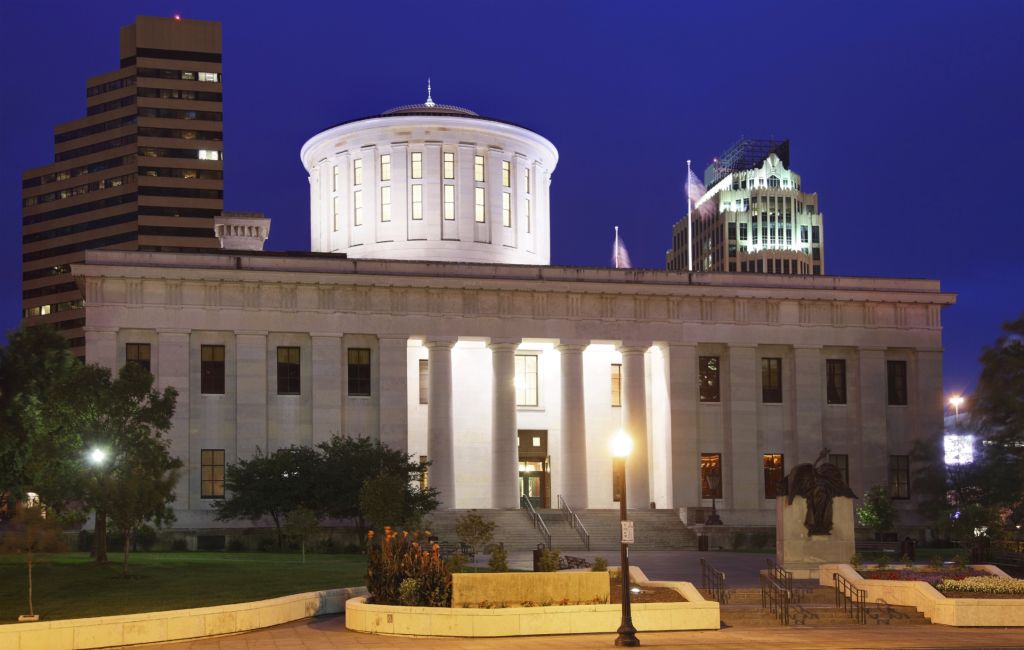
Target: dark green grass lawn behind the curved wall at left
<point x="69" y="586"/>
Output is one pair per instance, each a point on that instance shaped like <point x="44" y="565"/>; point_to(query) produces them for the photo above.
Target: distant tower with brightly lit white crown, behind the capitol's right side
<point x="754" y="218"/>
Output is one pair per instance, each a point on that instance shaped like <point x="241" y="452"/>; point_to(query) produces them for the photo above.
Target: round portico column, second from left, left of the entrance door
<point x="504" y="429"/>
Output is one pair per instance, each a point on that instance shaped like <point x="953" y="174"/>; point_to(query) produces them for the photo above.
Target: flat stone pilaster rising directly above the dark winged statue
<point x="809" y="381"/>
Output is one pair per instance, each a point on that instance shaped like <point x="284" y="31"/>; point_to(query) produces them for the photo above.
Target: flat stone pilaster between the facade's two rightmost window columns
<point x="873" y="459"/>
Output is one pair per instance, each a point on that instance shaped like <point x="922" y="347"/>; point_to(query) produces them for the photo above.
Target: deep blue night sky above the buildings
<point x="906" y="117"/>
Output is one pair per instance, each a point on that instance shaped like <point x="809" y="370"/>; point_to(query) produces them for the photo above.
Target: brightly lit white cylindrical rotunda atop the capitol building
<point x="432" y="183"/>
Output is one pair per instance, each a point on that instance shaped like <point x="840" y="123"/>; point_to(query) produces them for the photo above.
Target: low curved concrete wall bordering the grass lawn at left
<point x="105" y="632"/>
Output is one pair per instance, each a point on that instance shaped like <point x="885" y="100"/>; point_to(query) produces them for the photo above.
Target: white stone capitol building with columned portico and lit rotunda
<point x="429" y="318"/>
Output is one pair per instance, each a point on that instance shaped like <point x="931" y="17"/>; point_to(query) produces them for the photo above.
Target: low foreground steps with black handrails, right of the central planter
<point x="817" y="606"/>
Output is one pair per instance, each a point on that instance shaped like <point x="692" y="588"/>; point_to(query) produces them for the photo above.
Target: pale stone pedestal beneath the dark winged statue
<point x="801" y="553"/>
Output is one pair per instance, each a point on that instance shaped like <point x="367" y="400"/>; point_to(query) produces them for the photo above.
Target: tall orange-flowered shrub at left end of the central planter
<point x="394" y="558"/>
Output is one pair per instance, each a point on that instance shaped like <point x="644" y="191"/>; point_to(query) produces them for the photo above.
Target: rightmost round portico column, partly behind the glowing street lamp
<point x="635" y="423"/>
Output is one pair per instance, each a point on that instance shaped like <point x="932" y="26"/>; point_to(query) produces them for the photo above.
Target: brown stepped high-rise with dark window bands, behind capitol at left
<point x="143" y="170"/>
